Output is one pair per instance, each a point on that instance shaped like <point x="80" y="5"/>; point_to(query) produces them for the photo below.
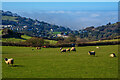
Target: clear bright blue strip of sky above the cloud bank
<point x="30" y="6"/>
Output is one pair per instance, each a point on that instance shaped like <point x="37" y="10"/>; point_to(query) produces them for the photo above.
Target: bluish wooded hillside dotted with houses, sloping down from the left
<point x="29" y="26"/>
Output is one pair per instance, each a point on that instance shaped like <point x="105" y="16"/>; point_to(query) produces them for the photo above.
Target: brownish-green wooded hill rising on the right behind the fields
<point x="108" y="31"/>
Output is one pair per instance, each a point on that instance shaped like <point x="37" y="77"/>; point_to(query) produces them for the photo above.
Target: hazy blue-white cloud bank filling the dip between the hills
<point x="74" y="19"/>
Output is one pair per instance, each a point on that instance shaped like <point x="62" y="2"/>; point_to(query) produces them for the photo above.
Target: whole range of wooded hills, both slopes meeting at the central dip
<point x="43" y="29"/>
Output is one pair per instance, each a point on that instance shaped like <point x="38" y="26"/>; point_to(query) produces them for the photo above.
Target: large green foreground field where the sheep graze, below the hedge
<point x="50" y="63"/>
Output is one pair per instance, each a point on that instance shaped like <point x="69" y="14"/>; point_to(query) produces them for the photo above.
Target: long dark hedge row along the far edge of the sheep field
<point x="63" y="45"/>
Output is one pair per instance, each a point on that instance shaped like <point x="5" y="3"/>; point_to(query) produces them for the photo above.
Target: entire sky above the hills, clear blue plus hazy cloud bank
<point x="75" y="15"/>
